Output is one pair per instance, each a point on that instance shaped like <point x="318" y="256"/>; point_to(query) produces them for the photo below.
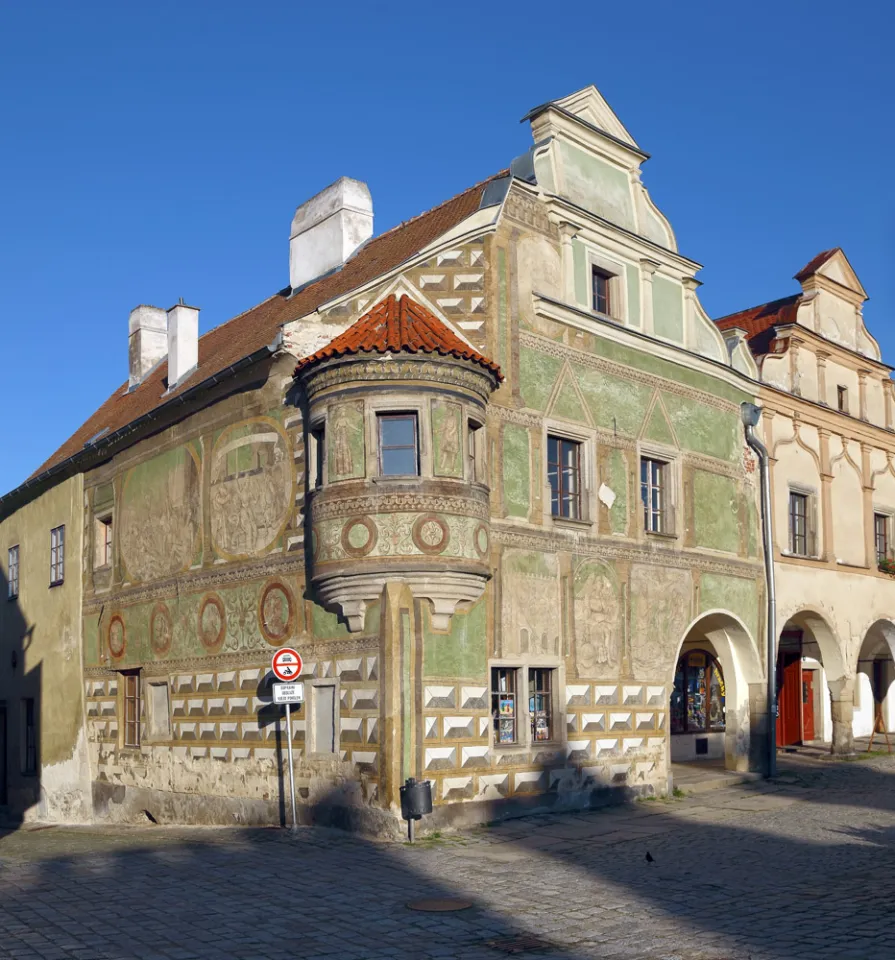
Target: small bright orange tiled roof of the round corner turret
<point x="394" y="326"/>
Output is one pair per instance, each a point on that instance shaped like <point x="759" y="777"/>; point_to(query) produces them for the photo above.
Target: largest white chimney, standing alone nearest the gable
<point x="328" y="228"/>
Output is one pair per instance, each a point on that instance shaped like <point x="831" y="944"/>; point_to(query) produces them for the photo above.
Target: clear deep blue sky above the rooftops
<point x="153" y="151"/>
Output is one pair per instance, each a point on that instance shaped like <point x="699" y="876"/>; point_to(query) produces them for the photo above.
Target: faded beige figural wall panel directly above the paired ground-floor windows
<point x="531" y="608"/>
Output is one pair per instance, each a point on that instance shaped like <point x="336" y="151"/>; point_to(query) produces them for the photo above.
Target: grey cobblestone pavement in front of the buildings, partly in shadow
<point x="801" y="868"/>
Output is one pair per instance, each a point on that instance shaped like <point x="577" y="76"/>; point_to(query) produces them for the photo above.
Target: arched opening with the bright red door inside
<point x="810" y="675"/>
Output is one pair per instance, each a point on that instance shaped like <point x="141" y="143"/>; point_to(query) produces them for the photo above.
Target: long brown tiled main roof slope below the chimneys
<point x="248" y="332"/>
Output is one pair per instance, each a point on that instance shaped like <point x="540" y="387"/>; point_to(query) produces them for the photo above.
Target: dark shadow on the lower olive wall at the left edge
<point x="20" y="713"/>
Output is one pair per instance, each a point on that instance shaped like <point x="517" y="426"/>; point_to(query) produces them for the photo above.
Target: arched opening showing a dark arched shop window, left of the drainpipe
<point x="709" y="702"/>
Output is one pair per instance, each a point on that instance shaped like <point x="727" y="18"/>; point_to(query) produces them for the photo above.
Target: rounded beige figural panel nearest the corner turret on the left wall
<point x="251" y="488"/>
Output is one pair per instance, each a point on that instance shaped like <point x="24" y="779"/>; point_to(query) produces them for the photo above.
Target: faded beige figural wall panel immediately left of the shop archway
<point x="661" y="598"/>
